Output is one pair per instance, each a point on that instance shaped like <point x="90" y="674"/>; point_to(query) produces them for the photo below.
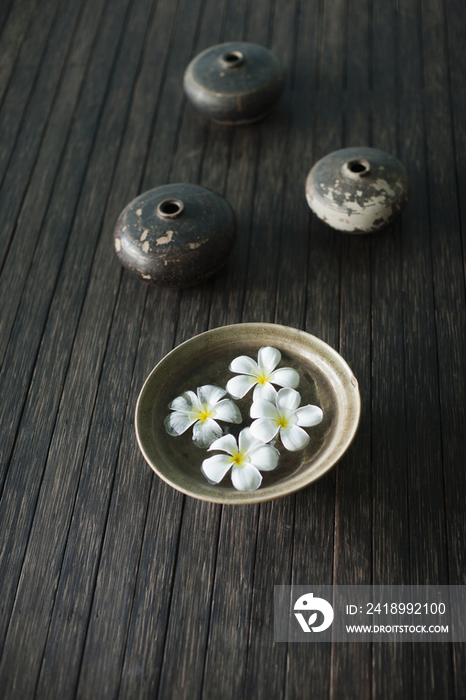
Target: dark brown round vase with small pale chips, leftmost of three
<point x="175" y="235"/>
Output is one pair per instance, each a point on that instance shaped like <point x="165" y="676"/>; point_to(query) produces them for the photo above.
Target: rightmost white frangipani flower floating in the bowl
<point x="283" y="415"/>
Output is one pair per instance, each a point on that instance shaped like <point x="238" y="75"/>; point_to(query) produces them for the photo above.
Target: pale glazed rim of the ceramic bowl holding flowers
<point x="295" y="483"/>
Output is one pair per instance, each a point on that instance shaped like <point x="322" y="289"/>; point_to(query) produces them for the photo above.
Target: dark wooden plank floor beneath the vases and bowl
<point x="113" y="585"/>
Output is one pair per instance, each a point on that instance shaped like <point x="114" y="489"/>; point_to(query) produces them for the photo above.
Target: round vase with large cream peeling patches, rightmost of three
<point x="358" y="190"/>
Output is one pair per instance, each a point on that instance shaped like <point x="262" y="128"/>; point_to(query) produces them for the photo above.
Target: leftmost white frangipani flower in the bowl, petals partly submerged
<point x="202" y="412"/>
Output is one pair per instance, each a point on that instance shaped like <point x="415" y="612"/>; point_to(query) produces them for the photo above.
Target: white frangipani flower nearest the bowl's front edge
<point x="246" y="459"/>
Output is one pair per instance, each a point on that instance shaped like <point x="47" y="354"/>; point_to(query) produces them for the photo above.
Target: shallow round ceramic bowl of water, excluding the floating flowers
<point x="325" y="380"/>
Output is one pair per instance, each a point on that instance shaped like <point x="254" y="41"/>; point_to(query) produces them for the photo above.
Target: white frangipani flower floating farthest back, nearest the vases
<point x="261" y="374"/>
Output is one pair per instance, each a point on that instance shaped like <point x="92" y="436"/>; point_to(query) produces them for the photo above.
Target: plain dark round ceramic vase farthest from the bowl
<point x="234" y="83"/>
